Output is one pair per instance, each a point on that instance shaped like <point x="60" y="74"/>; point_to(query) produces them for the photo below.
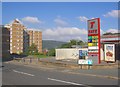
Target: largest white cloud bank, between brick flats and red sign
<point x="65" y="34"/>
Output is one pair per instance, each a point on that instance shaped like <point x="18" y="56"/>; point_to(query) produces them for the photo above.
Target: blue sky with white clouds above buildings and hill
<point x="62" y="21"/>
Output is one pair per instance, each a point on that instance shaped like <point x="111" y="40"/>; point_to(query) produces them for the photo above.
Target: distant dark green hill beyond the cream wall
<point x="49" y="44"/>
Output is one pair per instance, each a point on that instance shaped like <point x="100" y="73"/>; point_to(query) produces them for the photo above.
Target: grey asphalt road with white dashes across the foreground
<point x="22" y="75"/>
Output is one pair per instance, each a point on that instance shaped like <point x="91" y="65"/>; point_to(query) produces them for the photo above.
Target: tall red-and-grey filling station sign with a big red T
<point x="94" y="40"/>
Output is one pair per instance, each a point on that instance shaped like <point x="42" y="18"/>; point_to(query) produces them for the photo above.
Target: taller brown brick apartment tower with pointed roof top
<point x="18" y="37"/>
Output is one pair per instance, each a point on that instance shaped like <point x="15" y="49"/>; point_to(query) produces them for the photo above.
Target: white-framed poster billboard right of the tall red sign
<point x="109" y="52"/>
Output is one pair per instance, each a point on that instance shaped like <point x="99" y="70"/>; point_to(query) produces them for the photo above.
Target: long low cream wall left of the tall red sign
<point x="68" y="53"/>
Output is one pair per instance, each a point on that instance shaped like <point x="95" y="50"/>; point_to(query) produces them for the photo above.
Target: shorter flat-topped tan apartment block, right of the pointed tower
<point x="35" y="36"/>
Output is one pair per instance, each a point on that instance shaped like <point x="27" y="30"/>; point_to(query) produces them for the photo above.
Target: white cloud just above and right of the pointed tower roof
<point x="29" y="19"/>
